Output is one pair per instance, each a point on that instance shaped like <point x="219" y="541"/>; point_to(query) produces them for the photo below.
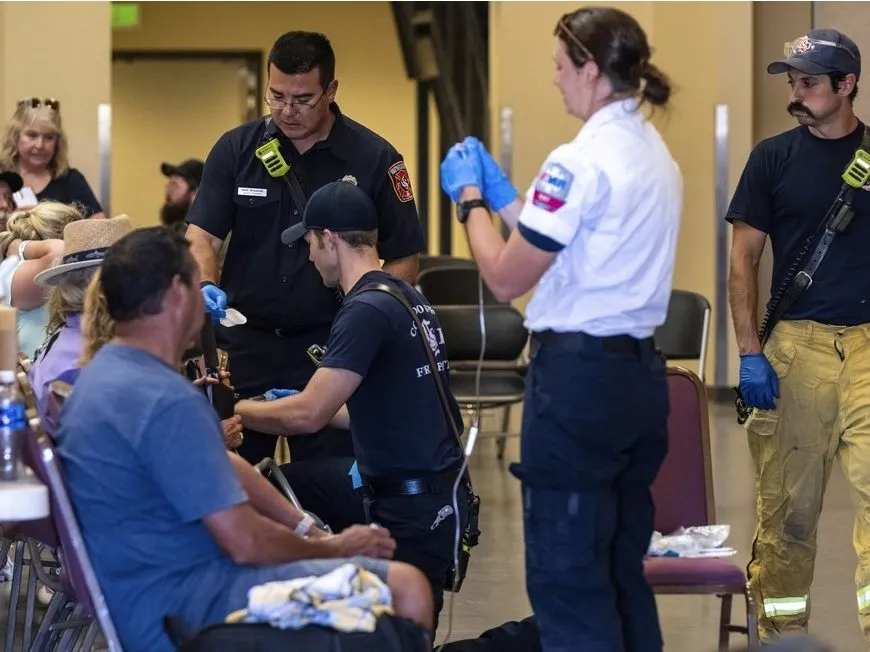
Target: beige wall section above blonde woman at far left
<point x="61" y="50"/>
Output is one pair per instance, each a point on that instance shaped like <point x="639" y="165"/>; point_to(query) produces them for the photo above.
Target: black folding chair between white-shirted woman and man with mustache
<point x="686" y="331"/>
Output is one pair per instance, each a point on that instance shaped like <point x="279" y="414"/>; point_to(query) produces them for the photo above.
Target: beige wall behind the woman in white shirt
<point x="706" y="69"/>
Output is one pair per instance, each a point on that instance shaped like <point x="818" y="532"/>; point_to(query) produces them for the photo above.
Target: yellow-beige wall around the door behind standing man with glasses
<point x="373" y="87"/>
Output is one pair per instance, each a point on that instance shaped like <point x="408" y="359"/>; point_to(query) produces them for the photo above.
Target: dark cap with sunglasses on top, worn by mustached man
<point x="820" y="52"/>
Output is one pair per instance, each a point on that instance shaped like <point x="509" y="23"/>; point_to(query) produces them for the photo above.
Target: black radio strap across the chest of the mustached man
<point x="800" y="276"/>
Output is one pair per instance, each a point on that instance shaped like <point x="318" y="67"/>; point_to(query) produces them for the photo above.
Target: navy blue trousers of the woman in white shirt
<point x="594" y="436"/>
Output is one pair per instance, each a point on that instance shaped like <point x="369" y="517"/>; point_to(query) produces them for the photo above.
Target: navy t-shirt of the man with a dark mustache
<point x="786" y="189"/>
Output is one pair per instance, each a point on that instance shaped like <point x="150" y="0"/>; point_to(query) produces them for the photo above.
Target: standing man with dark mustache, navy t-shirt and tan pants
<point x="808" y="385"/>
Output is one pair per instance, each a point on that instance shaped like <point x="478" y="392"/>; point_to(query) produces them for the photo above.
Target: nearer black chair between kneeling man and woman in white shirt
<point x="502" y="376"/>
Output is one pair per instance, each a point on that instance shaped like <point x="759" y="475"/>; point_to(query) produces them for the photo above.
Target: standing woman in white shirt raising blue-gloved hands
<point x="597" y="233"/>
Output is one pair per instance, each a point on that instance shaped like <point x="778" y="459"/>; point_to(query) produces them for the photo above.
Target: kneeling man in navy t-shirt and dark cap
<point x="407" y="453"/>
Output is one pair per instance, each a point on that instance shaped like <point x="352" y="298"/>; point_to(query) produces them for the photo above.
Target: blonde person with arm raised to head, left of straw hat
<point x="29" y="245"/>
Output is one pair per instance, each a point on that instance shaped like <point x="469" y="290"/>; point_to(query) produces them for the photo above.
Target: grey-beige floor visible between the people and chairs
<point x="495" y="591"/>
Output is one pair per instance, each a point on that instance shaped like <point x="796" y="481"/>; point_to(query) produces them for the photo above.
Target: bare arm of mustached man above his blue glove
<point x="746" y="249"/>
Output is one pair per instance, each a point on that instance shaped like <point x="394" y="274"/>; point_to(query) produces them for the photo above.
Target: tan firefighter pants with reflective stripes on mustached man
<point x="823" y="413"/>
